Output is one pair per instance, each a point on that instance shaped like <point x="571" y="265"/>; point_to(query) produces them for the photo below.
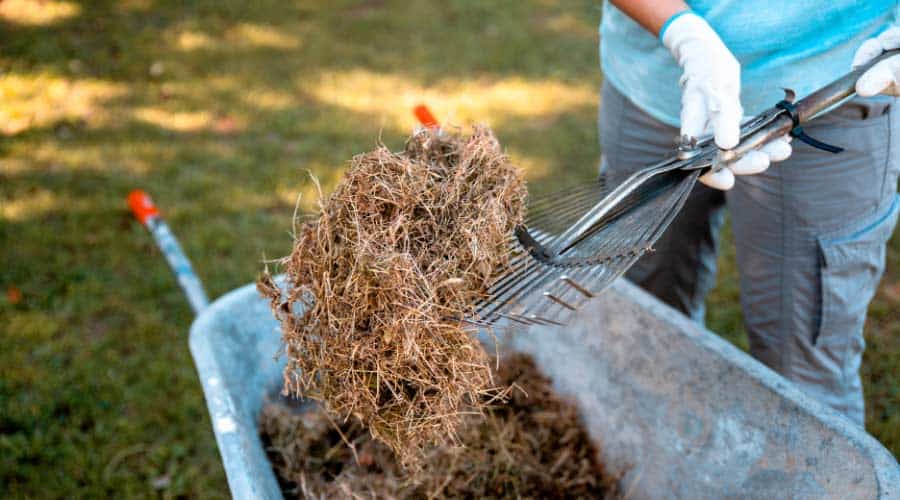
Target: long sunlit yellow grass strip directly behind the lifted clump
<point x="455" y="102"/>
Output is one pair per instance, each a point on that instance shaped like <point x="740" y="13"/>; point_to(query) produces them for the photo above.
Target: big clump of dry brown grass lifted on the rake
<point x="403" y="248"/>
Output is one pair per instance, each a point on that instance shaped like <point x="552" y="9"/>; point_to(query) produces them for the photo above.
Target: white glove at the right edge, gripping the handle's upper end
<point x="884" y="77"/>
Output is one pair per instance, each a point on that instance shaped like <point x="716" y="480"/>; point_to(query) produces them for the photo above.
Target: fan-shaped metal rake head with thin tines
<point x="576" y="242"/>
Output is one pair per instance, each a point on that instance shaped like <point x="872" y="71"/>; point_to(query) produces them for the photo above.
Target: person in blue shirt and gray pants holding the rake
<point x="811" y="232"/>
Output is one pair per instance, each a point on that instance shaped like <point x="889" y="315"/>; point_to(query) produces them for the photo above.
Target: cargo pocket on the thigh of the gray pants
<point x="852" y="265"/>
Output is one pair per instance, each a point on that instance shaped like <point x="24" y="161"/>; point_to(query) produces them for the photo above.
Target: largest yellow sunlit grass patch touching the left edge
<point x="32" y="101"/>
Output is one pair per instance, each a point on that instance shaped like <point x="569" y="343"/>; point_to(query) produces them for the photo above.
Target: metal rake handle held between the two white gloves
<point x="810" y="106"/>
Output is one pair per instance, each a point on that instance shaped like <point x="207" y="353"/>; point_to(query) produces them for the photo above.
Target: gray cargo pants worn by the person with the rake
<point x="810" y="232"/>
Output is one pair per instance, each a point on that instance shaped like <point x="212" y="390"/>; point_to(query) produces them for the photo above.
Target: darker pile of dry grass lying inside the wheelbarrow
<point x="533" y="446"/>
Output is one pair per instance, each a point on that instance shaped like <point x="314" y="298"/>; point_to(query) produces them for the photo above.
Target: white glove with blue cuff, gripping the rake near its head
<point x="711" y="96"/>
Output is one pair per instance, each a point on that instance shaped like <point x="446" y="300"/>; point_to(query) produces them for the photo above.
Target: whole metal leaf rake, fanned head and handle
<point x="574" y="243"/>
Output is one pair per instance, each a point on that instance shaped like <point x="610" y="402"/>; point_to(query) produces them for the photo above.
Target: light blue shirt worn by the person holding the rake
<point x="796" y="44"/>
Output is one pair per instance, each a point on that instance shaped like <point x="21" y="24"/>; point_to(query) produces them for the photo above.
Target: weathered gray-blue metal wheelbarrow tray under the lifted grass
<point x="675" y="410"/>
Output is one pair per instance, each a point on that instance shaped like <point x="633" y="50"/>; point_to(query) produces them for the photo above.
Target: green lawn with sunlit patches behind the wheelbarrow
<point x="219" y="108"/>
